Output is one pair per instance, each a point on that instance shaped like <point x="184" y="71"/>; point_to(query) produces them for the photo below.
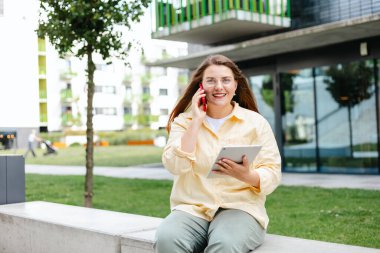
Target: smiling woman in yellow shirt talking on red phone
<point x="221" y="214"/>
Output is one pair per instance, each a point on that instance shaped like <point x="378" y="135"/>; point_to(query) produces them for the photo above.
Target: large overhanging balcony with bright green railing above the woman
<point x="210" y="22"/>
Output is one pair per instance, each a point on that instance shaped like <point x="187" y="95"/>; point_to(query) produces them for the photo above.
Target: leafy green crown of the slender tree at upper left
<point x="73" y="26"/>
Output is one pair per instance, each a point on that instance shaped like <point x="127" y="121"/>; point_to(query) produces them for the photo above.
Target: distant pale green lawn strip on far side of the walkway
<point x="113" y="156"/>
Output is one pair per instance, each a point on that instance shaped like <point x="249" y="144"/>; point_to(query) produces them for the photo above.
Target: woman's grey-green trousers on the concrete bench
<point x="231" y="231"/>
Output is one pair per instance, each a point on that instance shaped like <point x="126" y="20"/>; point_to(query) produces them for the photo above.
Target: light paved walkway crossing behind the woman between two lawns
<point x="156" y="171"/>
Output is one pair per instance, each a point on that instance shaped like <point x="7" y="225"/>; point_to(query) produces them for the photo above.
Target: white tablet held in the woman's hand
<point x="236" y="153"/>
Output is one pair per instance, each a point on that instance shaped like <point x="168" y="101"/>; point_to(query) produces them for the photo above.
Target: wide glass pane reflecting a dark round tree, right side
<point x="347" y="125"/>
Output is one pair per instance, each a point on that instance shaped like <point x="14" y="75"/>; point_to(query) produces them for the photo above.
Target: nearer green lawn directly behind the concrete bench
<point x="336" y="215"/>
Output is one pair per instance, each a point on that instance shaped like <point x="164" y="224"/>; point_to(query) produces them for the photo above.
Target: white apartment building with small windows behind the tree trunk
<point x="130" y="96"/>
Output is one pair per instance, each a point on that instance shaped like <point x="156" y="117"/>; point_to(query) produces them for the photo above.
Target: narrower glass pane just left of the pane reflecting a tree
<point x="298" y="120"/>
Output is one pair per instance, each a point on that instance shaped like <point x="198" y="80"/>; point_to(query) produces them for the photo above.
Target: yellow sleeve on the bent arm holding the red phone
<point x="175" y="160"/>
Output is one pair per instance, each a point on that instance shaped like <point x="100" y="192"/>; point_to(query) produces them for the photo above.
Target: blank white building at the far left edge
<point x="19" y="94"/>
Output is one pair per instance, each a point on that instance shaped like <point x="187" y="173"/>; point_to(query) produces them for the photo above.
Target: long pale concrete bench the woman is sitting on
<point x="43" y="227"/>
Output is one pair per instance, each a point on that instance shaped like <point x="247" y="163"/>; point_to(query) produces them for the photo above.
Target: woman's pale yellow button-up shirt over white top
<point x="195" y="193"/>
